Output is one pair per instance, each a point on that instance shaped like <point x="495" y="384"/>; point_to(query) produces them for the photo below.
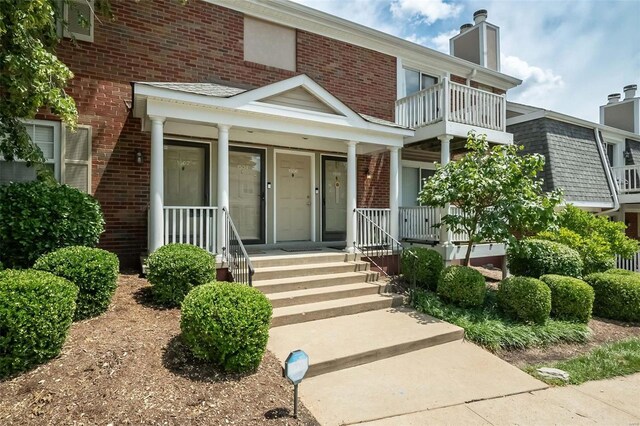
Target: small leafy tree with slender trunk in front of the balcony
<point x="497" y="192"/>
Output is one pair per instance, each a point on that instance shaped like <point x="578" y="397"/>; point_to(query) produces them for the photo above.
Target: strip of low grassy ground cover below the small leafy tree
<point x="486" y="327"/>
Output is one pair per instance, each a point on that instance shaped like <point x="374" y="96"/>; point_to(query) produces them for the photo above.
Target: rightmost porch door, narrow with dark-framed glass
<point x="334" y="198"/>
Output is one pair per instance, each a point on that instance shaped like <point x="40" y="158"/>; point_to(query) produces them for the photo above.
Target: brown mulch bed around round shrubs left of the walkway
<point x="129" y="366"/>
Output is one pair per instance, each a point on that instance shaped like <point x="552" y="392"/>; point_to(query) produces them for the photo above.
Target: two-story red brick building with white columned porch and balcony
<point x="284" y="116"/>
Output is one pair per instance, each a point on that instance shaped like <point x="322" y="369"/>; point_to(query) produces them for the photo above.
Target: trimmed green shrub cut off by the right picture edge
<point x="617" y="296"/>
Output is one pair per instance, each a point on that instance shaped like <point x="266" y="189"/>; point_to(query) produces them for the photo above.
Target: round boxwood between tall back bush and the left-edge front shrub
<point x="93" y="270"/>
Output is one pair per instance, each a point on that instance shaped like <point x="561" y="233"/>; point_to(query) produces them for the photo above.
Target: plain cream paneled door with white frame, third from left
<point x="293" y="197"/>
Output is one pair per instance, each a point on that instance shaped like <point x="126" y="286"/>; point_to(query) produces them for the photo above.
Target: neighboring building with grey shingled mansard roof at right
<point x="596" y="165"/>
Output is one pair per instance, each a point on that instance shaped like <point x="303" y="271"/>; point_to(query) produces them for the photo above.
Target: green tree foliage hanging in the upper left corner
<point x="31" y="76"/>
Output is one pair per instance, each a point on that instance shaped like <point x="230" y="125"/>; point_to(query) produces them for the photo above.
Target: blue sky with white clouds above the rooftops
<point x="570" y="53"/>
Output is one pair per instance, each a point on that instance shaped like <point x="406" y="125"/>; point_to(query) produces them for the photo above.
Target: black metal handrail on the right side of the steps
<point x="382" y="250"/>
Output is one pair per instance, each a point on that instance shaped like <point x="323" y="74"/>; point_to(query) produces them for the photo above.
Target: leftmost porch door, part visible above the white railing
<point x="184" y="175"/>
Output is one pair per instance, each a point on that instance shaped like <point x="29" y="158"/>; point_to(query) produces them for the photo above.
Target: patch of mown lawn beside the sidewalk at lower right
<point x="610" y="360"/>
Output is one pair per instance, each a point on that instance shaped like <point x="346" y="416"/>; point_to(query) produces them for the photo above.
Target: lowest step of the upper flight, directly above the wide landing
<point x="333" y="308"/>
